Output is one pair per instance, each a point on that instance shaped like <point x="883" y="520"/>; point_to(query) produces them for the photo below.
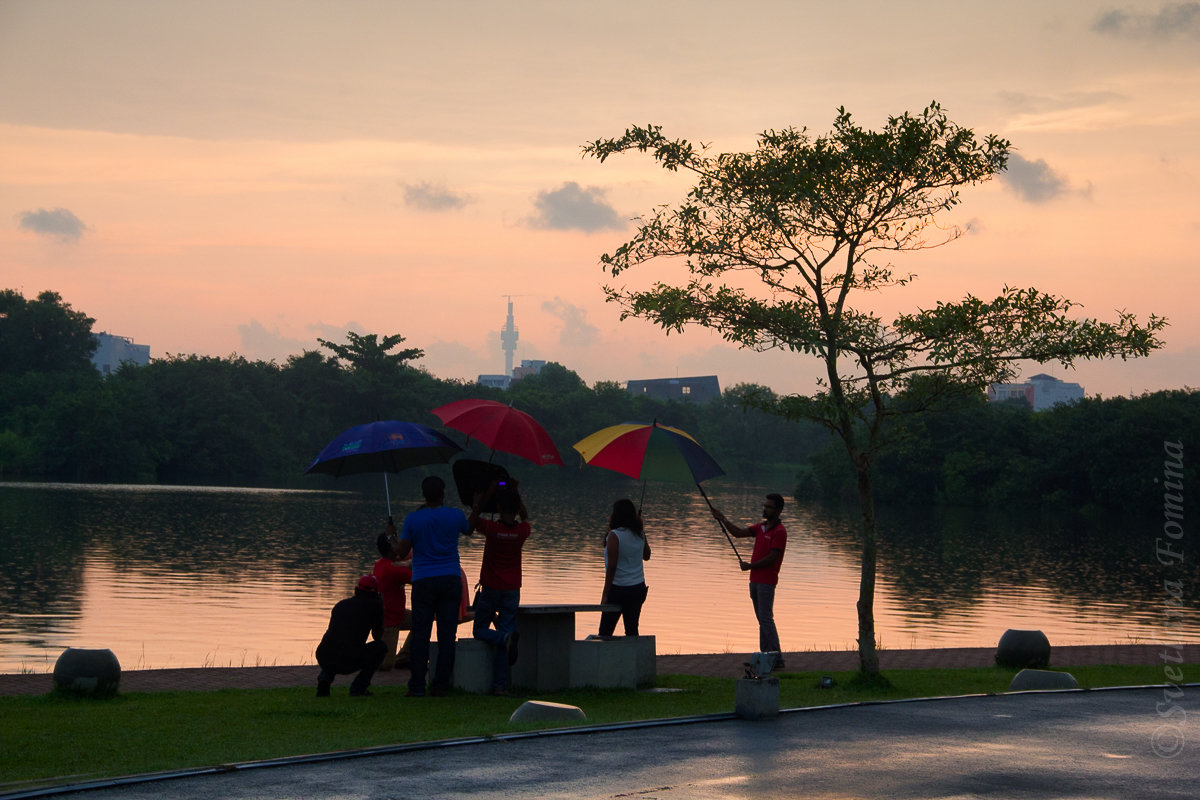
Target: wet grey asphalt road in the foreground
<point x="1099" y="744"/>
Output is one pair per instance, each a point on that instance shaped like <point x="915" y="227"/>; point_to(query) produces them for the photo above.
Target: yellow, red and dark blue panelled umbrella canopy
<point x="652" y="452"/>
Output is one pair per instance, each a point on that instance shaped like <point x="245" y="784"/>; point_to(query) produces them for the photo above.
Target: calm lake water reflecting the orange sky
<point x="188" y="578"/>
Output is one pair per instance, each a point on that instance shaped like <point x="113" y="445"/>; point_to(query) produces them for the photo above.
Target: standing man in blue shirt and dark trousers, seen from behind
<point x="431" y="534"/>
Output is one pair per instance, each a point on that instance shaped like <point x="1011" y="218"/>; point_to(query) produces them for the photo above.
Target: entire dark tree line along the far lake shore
<point x="230" y="422"/>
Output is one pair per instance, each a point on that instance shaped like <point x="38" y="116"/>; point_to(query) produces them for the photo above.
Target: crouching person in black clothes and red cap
<point x="345" y="648"/>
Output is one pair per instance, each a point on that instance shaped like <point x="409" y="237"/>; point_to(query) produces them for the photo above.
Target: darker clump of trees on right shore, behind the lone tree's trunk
<point x="1100" y="454"/>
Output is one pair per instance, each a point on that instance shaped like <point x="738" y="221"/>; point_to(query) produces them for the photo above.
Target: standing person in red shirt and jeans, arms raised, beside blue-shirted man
<point x="500" y="578"/>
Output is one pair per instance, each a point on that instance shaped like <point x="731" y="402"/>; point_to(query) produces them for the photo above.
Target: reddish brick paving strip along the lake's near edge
<point x="722" y="665"/>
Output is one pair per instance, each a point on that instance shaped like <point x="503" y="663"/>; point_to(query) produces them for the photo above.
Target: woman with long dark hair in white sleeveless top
<point x="625" y="582"/>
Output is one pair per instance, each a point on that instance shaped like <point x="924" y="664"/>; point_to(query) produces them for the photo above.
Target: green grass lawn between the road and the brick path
<point x="55" y="739"/>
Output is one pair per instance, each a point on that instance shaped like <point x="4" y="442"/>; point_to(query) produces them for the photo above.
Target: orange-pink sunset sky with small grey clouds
<point x="245" y="177"/>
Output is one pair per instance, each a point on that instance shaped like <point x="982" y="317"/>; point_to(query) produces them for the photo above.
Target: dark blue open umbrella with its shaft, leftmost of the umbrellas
<point x="383" y="448"/>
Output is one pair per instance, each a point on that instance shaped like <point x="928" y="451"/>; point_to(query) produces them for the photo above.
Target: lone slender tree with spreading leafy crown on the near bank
<point x="814" y="219"/>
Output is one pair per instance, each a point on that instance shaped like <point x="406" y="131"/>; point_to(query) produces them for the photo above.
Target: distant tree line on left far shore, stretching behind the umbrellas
<point x="231" y="422"/>
